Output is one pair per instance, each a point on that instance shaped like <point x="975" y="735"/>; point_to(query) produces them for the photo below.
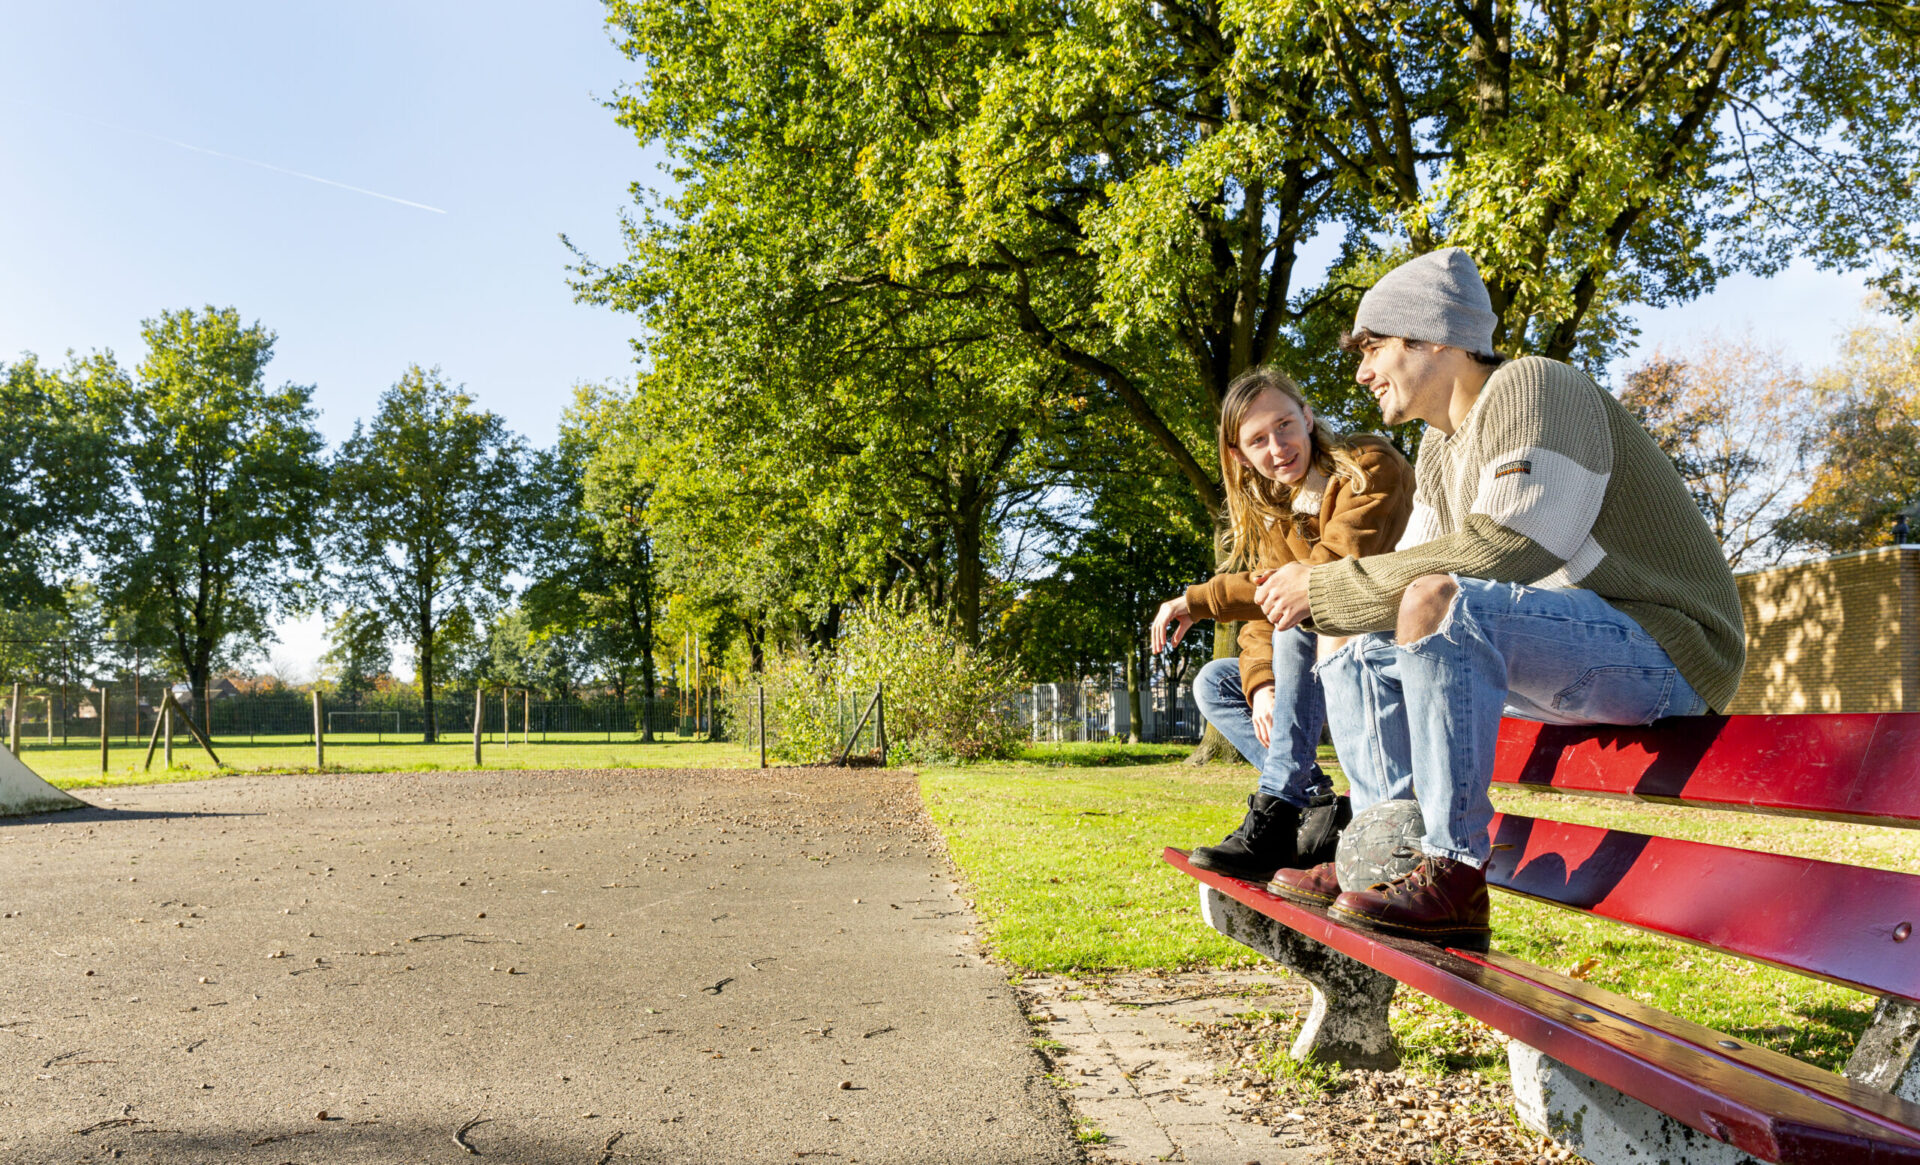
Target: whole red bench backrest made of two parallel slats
<point x="1831" y="920"/>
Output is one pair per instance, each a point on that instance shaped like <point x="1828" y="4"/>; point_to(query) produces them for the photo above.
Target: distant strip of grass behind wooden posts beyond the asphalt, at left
<point x="78" y="765"/>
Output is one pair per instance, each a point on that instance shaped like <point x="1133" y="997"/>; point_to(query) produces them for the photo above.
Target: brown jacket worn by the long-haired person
<point x="1351" y="525"/>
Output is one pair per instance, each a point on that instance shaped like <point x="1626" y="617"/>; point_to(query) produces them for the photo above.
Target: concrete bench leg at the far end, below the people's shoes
<point x="1347" y="1024"/>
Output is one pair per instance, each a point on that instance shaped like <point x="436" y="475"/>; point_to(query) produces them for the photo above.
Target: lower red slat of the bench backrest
<point x="1817" y="918"/>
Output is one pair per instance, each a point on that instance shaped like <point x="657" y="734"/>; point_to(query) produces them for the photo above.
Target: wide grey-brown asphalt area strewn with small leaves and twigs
<point x="573" y="968"/>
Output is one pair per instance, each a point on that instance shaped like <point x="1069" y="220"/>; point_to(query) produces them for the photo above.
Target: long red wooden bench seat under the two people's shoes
<point x="1779" y="1118"/>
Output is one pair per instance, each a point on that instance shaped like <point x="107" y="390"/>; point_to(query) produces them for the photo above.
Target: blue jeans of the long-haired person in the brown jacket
<point x="1287" y="769"/>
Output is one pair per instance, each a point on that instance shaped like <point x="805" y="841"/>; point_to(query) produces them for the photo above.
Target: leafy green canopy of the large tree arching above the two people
<point x="1130" y="185"/>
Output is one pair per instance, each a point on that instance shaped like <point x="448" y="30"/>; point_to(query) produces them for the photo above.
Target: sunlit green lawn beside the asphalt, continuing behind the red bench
<point x="1065" y="861"/>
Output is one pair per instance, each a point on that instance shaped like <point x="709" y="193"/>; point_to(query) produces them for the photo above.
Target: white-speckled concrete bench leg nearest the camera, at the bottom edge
<point x="1600" y="1122"/>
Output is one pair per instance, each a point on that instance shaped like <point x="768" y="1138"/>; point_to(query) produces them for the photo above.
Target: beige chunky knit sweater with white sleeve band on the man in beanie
<point x="1550" y="483"/>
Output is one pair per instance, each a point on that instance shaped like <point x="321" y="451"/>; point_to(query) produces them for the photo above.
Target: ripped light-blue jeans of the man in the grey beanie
<point x="1422" y="721"/>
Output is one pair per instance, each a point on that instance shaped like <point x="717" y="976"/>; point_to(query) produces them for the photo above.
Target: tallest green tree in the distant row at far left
<point x="224" y="485"/>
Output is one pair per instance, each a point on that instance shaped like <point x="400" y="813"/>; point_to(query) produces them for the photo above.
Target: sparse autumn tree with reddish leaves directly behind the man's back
<point x="1735" y="417"/>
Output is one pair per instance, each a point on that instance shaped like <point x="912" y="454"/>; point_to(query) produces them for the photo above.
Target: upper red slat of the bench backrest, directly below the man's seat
<point x="1850" y="769"/>
